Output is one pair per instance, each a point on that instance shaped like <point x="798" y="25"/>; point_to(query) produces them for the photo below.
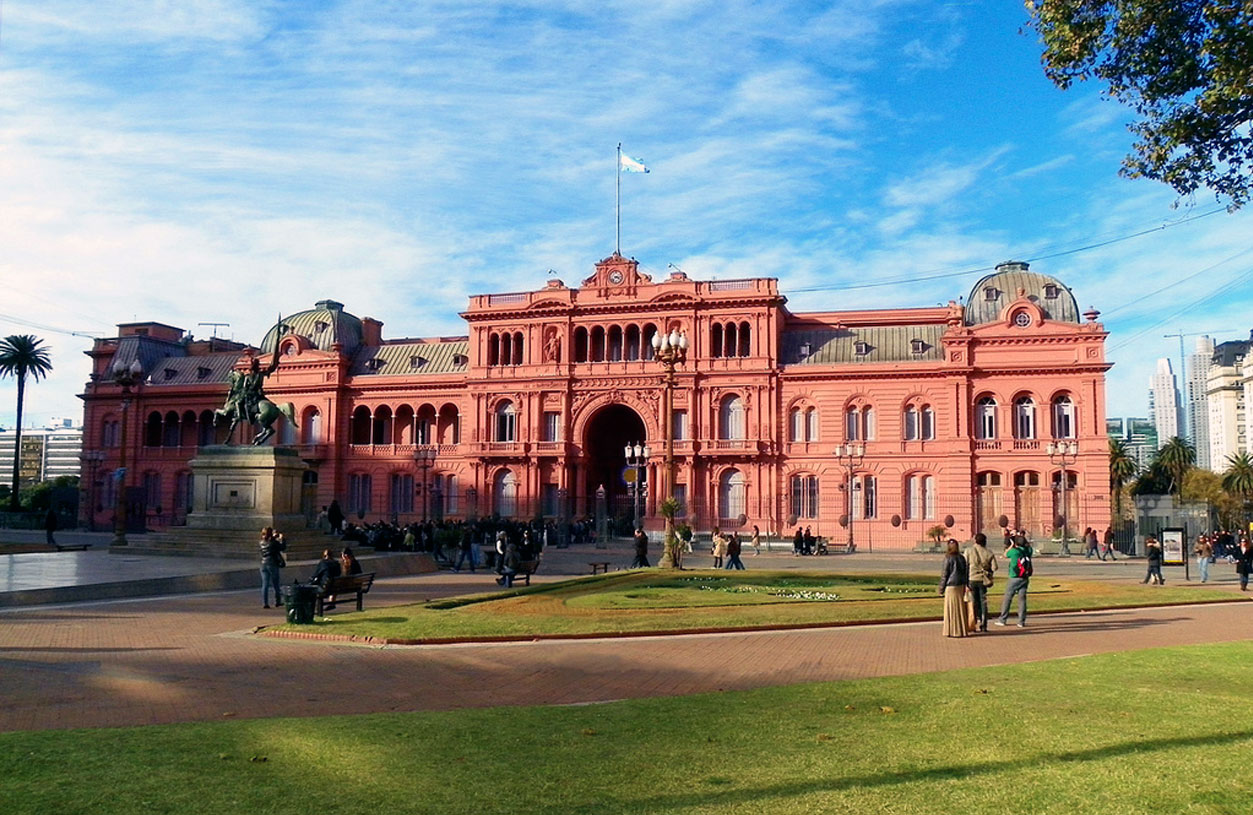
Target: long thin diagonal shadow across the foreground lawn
<point x="711" y="797"/>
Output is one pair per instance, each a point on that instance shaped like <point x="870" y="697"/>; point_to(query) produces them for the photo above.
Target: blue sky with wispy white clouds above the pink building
<point x="222" y="161"/>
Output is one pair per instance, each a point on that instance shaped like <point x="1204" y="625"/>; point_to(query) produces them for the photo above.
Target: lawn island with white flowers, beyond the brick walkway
<point x="651" y="600"/>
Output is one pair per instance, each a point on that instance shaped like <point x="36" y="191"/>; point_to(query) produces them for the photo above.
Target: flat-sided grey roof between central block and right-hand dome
<point x="884" y="344"/>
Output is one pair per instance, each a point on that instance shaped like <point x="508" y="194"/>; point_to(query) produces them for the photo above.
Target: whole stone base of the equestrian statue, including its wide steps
<point x="237" y="492"/>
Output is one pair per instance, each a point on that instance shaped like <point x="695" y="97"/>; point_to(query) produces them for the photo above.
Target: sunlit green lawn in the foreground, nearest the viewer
<point x="1152" y="732"/>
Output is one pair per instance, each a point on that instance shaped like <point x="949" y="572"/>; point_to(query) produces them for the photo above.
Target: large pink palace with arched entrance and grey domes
<point x="531" y="412"/>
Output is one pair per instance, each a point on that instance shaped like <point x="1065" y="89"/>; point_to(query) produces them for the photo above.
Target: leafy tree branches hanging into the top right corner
<point x="1186" y="67"/>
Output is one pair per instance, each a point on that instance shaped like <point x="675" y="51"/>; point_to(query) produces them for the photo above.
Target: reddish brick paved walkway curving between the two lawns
<point x="190" y="659"/>
